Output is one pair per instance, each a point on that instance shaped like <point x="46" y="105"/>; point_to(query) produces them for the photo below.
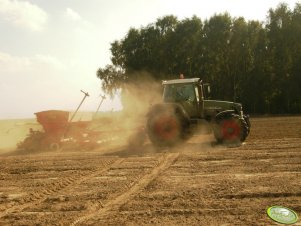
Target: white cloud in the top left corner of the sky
<point x="23" y="14"/>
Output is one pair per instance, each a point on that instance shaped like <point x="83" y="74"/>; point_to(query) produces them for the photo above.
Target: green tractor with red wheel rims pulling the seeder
<point x="187" y="107"/>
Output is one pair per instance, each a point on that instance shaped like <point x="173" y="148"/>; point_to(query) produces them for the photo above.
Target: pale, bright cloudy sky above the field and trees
<point x="51" y="50"/>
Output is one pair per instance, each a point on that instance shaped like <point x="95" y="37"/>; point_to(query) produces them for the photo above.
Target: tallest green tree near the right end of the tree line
<point x="280" y="37"/>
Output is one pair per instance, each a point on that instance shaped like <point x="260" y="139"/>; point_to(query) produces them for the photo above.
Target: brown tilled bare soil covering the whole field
<point x="197" y="183"/>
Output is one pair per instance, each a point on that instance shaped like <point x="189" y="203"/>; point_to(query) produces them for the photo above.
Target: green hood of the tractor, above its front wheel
<point x="219" y="106"/>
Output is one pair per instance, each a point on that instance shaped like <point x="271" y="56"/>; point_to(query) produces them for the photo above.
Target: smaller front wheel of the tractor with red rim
<point x="231" y="130"/>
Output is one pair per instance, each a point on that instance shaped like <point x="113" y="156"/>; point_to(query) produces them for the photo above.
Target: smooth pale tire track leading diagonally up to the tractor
<point x="164" y="163"/>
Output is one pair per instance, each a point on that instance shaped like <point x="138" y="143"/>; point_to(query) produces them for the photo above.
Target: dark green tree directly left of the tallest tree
<point x="254" y="85"/>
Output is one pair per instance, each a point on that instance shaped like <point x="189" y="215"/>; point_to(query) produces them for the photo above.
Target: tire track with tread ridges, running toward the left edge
<point x="35" y="198"/>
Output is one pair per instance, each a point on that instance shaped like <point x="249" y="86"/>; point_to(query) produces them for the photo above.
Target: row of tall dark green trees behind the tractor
<point x="253" y="62"/>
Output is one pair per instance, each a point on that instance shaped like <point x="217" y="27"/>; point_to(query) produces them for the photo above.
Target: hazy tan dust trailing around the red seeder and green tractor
<point x="109" y="130"/>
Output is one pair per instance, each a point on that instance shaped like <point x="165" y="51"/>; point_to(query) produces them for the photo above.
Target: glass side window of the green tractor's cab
<point x="179" y="92"/>
